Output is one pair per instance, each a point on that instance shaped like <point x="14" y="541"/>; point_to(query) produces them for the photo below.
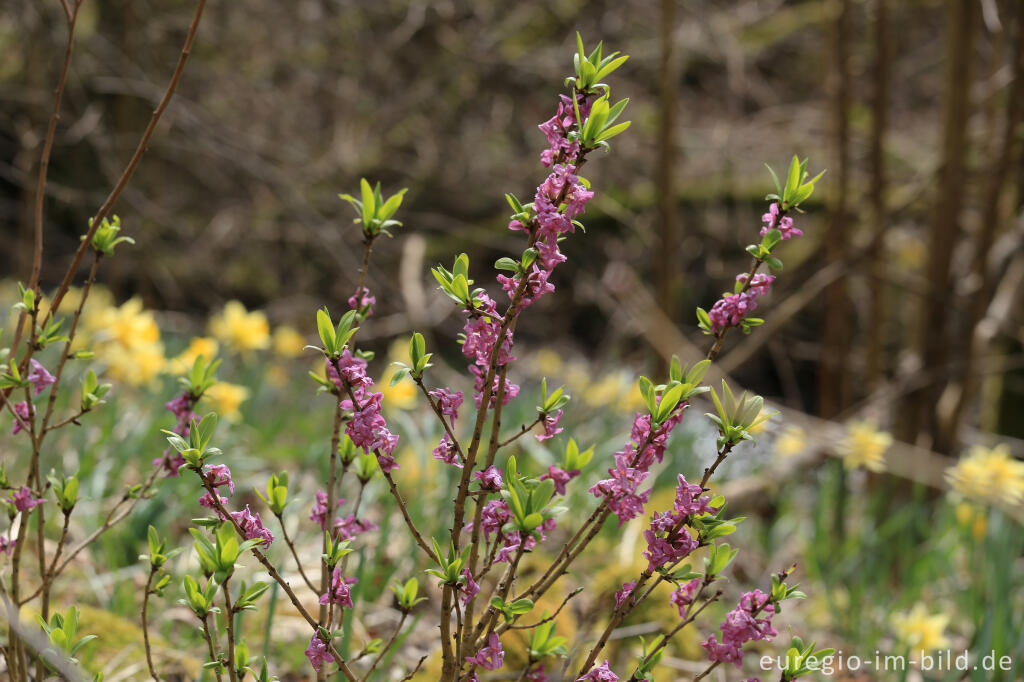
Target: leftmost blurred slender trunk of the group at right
<point x="836" y="346"/>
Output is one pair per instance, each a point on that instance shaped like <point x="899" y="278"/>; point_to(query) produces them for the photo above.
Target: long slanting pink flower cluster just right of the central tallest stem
<point x="633" y="464"/>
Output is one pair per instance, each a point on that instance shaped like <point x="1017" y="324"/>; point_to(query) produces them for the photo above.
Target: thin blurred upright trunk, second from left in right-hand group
<point x="880" y="114"/>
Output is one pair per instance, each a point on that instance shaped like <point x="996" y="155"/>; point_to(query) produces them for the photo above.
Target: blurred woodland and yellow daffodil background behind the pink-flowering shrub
<point x="900" y="315"/>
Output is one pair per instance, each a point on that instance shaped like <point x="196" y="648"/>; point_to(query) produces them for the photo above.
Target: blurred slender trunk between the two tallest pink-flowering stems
<point x="667" y="254"/>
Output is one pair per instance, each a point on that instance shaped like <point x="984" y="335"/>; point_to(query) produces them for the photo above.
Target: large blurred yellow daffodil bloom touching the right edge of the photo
<point x="989" y="476"/>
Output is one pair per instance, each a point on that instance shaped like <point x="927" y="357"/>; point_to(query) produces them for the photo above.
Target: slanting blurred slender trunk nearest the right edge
<point x="966" y="389"/>
